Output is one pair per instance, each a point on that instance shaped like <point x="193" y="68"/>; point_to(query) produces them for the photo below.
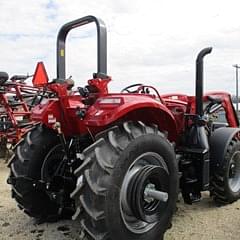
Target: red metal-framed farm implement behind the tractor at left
<point x="16" y="101"/>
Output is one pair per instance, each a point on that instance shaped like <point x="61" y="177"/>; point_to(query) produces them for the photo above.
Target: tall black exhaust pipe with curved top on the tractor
<point x="199" y="80"/>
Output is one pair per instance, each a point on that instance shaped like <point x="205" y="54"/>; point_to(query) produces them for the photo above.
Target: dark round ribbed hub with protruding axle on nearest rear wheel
<point x="147" y="193"/>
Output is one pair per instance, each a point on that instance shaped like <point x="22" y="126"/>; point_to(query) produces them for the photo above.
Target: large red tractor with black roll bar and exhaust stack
<point x="118" y="160"/>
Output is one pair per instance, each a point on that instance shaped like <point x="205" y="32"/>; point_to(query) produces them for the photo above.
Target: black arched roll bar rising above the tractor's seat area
<point x="101" y="45"/>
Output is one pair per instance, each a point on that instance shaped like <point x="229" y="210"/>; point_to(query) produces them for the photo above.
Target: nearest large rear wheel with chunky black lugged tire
<point x="116" y="171"/>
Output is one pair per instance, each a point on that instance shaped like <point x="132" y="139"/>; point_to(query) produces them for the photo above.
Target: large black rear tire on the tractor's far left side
<point x="26" y="170"/>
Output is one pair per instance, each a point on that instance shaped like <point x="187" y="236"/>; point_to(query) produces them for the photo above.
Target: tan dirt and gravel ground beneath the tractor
<point x="201" y="221"/>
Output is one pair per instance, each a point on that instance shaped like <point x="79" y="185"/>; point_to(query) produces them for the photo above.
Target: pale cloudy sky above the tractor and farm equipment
<point x="154" y="42"/>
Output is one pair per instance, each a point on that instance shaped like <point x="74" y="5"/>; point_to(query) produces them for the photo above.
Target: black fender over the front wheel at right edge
<point x="219" y="142"/>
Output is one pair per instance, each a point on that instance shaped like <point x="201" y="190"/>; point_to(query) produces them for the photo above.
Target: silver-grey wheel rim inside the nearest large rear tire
<point x="151" y="211"/>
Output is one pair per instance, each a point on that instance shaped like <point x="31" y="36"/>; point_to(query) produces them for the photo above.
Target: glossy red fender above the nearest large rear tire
<point x="142" y="109"/>
